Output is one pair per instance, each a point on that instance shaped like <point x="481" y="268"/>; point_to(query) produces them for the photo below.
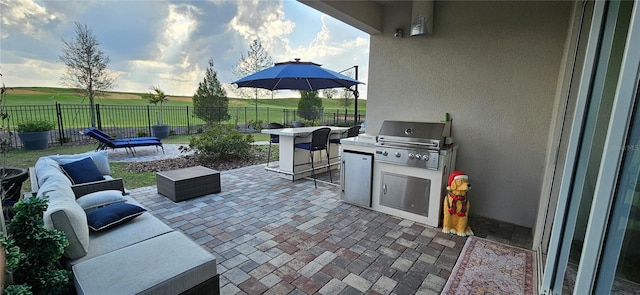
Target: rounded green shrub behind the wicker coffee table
<point x="220" y="142"/>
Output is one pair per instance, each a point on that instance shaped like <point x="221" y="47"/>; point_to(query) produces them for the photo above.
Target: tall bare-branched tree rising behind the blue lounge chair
<point x="86" y="66"/>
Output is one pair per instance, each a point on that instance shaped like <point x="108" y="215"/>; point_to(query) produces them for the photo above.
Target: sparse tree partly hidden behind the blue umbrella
<point x="257" y="59"/>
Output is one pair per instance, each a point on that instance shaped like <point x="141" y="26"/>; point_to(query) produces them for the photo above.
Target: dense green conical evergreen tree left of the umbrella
<point x="210" y="102"/>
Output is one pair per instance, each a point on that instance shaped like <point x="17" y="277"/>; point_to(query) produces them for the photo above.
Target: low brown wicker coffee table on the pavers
<point x="187" y="183"/>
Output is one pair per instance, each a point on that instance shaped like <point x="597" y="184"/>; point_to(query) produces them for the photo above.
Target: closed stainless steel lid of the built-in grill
<point x="428" y="134"/>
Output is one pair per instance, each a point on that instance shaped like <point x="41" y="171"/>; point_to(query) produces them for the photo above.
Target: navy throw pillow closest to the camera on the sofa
<point x="112" y="215"/>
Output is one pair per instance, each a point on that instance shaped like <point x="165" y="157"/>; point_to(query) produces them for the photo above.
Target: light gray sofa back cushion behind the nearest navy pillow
<point x="64" y="213"/>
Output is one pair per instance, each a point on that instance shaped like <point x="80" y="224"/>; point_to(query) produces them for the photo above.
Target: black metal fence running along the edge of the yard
<point x="132" y="121"/>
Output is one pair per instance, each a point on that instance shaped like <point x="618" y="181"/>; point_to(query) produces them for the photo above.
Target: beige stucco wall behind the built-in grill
<point x="494" y="67"/>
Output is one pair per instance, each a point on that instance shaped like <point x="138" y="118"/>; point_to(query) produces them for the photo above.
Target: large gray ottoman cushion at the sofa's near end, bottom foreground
<point x="167" y="264"/>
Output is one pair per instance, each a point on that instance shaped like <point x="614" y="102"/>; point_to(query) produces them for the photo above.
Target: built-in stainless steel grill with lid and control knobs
<point x="415" y="144"/>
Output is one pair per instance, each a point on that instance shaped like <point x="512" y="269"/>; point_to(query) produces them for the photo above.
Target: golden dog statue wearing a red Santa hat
<point x="456" y="205"/>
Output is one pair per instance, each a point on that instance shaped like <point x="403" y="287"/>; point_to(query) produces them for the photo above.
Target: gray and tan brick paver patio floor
<point x="274" y="236"/>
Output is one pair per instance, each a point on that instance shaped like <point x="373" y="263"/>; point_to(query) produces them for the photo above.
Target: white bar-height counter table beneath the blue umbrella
<point x="295" y="163"/>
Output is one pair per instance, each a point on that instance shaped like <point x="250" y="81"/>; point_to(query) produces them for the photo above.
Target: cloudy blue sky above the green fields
<point x="168" y="43"/>
